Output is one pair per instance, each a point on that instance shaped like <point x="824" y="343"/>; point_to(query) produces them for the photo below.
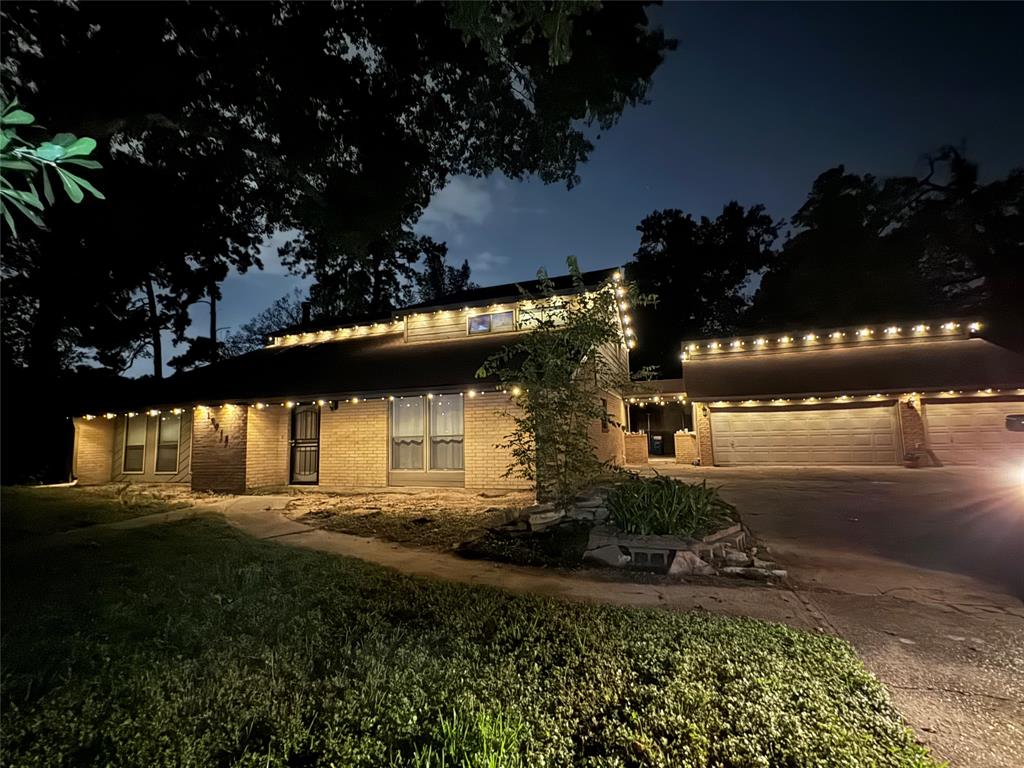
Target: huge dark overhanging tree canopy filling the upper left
<point x="232" y="136"/>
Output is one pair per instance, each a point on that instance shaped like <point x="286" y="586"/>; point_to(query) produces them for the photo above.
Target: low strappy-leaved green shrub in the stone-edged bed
<point x="662" y="505"/>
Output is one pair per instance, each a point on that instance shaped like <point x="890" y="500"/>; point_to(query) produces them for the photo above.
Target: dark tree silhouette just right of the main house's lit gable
<point x="700" y="269"/>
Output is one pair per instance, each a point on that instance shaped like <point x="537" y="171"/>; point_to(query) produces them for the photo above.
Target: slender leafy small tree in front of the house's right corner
<point x="557" y="374"/>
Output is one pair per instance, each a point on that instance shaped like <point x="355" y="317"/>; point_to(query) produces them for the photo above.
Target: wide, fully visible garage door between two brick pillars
<point x="863" y="436"/>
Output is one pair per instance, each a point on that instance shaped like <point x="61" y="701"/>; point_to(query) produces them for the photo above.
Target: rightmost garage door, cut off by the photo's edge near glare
<point x="973" y="433"/>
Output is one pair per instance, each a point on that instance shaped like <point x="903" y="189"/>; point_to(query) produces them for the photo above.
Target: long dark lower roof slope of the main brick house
<point x="366" y="367"/>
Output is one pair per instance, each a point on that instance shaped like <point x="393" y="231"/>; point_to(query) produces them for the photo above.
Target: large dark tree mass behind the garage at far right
<point x="904" y="248"/>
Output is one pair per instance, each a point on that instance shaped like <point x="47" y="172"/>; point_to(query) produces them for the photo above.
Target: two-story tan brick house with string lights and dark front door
<point x="391" y="402"/>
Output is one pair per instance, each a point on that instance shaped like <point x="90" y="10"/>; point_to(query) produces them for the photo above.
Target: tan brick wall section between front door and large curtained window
<point x="354" y="445"/>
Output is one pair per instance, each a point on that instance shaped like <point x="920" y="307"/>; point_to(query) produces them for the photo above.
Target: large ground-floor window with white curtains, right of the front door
<point x="413" y="434"/>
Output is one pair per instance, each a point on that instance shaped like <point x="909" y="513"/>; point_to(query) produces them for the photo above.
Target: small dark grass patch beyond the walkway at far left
<point x="26" y="510"/>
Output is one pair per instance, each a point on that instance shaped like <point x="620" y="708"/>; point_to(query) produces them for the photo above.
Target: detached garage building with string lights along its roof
<point x="865" y="396"/>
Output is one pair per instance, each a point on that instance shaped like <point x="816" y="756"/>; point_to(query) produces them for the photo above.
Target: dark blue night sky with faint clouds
<point x="755" y="104"/>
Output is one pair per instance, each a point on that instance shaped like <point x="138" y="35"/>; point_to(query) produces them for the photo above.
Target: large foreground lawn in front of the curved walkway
<point x="191" y="645"/>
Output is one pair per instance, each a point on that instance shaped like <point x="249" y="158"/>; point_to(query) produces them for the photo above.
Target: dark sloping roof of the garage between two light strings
<point x="968" y="365"/>
